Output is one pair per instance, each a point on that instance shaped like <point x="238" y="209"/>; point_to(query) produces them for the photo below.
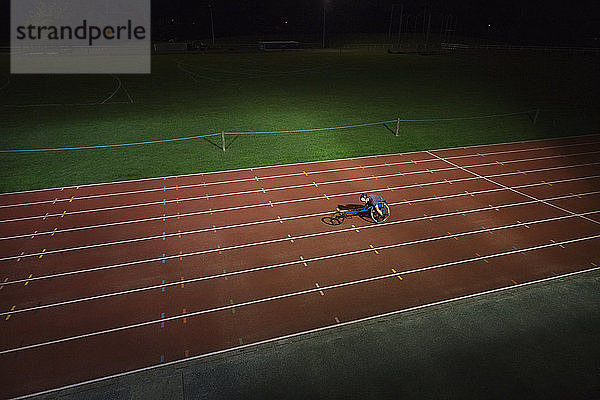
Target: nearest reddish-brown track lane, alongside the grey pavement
<point x="251" y="321"/>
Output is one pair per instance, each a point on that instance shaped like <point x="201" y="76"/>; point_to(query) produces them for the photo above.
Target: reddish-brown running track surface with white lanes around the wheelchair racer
<point x="103" y="279"/>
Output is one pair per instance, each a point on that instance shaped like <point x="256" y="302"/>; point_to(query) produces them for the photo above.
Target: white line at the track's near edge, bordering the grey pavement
<point x="308" y="332"/>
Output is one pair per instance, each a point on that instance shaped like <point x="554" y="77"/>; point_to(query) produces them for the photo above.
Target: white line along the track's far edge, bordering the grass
<point x="319" y="162"/>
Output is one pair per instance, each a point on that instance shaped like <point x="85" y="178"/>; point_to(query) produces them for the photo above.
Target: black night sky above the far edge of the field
<point x="514" y="21"/>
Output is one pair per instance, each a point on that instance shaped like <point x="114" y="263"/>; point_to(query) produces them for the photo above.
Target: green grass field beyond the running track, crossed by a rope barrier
<point x="189" y="95"/>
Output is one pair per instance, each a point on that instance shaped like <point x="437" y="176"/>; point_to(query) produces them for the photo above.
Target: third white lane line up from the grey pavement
<point x="302" y="260"/>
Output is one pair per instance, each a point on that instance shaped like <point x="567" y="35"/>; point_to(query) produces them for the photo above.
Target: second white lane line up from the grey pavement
<point x="288" y="295"/>
